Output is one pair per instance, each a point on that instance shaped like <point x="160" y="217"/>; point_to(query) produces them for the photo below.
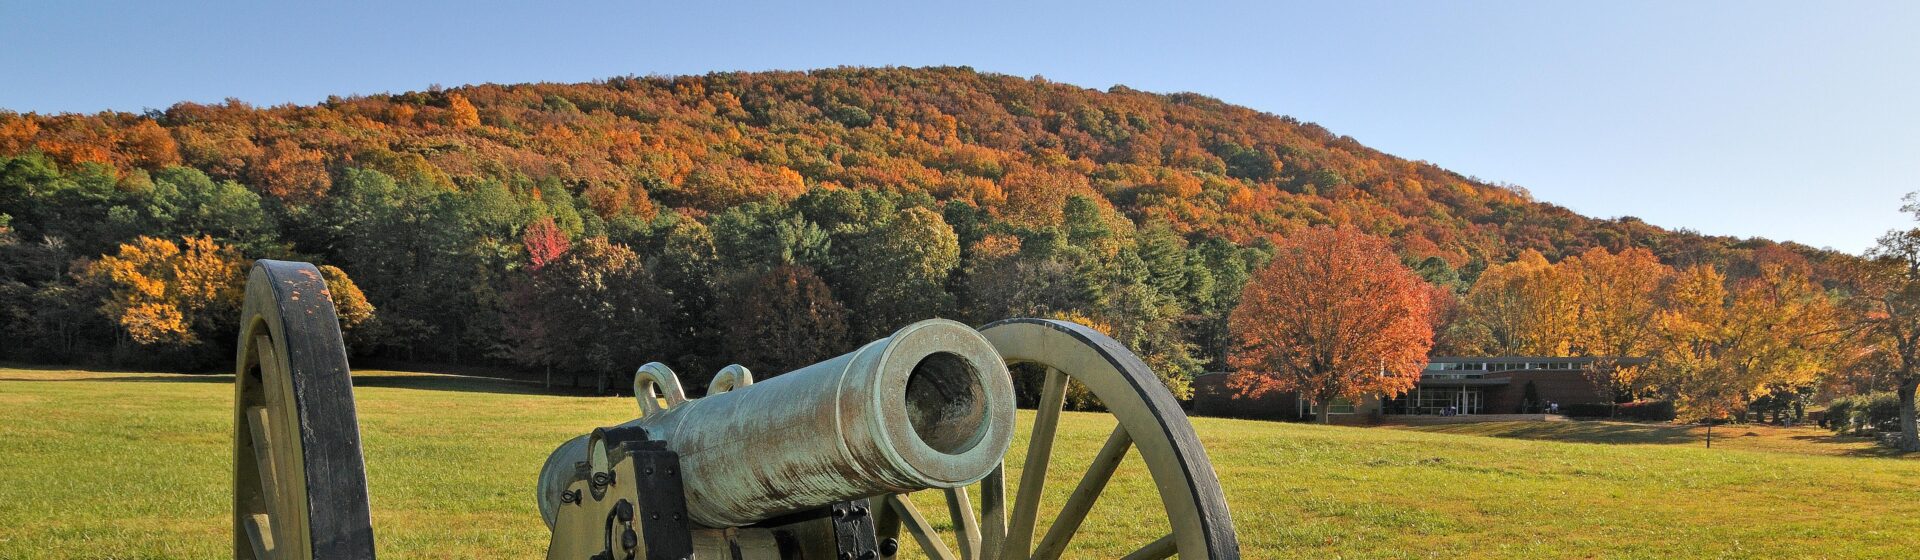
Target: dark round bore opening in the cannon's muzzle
<point x="948" y="404"/>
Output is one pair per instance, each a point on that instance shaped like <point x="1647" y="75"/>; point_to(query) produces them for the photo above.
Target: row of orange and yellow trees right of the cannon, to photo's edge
<point x="1339" y="315"/>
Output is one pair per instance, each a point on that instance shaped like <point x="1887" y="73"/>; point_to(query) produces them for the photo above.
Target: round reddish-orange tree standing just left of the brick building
<point x="1333" y="315"/>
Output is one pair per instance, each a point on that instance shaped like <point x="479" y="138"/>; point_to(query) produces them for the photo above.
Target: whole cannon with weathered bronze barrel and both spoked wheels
<point x="828" y="461"/>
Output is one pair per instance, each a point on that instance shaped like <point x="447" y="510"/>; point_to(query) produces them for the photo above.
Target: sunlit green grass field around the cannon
<point x="99" y="465"/>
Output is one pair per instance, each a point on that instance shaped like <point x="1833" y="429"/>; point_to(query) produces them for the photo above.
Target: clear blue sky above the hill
<point x="1783" y="120"/>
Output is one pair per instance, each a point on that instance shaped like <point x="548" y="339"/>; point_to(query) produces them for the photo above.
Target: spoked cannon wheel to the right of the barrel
<point x="1151" y="423"/>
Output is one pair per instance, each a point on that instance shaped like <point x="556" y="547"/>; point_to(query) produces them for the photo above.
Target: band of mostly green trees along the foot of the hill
<point x="151" y="275"/>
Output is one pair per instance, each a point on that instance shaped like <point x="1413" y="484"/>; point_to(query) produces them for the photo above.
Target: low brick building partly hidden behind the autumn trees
<point x="1449" y="385"/>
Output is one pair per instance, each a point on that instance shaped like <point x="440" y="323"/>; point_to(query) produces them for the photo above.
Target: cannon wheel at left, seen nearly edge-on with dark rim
<point x="300" y="484"/>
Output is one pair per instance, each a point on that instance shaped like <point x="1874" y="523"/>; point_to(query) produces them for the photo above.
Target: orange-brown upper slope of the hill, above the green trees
<point x="1232" y="172"/>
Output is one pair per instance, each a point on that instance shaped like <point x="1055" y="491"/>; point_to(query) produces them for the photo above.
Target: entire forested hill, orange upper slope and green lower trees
<point x="765" y="220"/>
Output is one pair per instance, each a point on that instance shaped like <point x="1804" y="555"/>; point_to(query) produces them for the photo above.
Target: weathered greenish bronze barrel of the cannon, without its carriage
<point x="926" y="408"/>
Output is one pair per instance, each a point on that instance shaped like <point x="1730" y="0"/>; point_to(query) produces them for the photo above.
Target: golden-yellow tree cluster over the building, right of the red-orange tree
<point x="1712" y="342"/>
